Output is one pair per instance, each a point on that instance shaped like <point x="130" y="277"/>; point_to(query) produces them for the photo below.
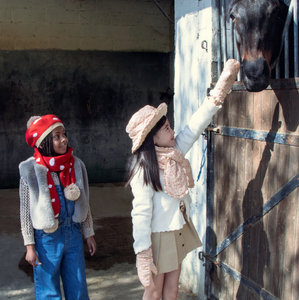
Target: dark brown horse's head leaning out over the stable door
<point x="258" y="31"/>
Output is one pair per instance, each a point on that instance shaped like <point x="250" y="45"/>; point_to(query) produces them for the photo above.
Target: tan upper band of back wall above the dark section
<point x="118" y="25"/>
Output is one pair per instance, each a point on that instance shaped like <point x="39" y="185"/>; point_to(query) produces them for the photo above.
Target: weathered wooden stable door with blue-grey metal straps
<point x="252" y="232"/>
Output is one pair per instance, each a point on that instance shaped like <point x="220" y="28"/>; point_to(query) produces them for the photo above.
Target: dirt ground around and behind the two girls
<point x="111" y="272"/>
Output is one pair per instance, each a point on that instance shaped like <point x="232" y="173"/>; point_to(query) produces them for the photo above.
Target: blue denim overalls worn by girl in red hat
<point x="61" y="254"/>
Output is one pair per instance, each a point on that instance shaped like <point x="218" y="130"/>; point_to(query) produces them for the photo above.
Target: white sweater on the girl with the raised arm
<point x="157" y="211"/>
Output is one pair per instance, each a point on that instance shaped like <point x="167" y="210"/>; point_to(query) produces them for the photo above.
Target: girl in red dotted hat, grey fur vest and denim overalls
<point x="54" y="201"/>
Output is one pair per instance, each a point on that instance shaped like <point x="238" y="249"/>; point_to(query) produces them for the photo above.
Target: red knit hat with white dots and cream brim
<point x="40" y="127"/>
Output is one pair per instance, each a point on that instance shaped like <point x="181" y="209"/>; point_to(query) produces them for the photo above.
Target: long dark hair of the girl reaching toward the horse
<point x="145" y="158"/>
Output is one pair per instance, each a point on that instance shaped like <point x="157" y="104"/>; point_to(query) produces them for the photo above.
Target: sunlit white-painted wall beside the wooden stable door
<point x="193" y="25"/>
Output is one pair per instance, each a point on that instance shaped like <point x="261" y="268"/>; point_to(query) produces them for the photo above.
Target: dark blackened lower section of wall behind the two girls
<point x="94" y="93"/>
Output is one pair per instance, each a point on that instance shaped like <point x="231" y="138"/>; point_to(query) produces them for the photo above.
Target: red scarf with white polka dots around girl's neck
<point x="63" y="164"/>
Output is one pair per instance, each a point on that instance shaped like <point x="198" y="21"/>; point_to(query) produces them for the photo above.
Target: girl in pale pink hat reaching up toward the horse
<point x="160" y="176"/>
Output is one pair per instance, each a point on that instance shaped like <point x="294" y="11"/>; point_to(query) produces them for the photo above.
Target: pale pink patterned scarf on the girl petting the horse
<point x="177" y="171"/>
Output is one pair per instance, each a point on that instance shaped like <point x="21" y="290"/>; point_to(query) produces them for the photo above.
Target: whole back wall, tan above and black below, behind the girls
<point x="93" y="63"/>
